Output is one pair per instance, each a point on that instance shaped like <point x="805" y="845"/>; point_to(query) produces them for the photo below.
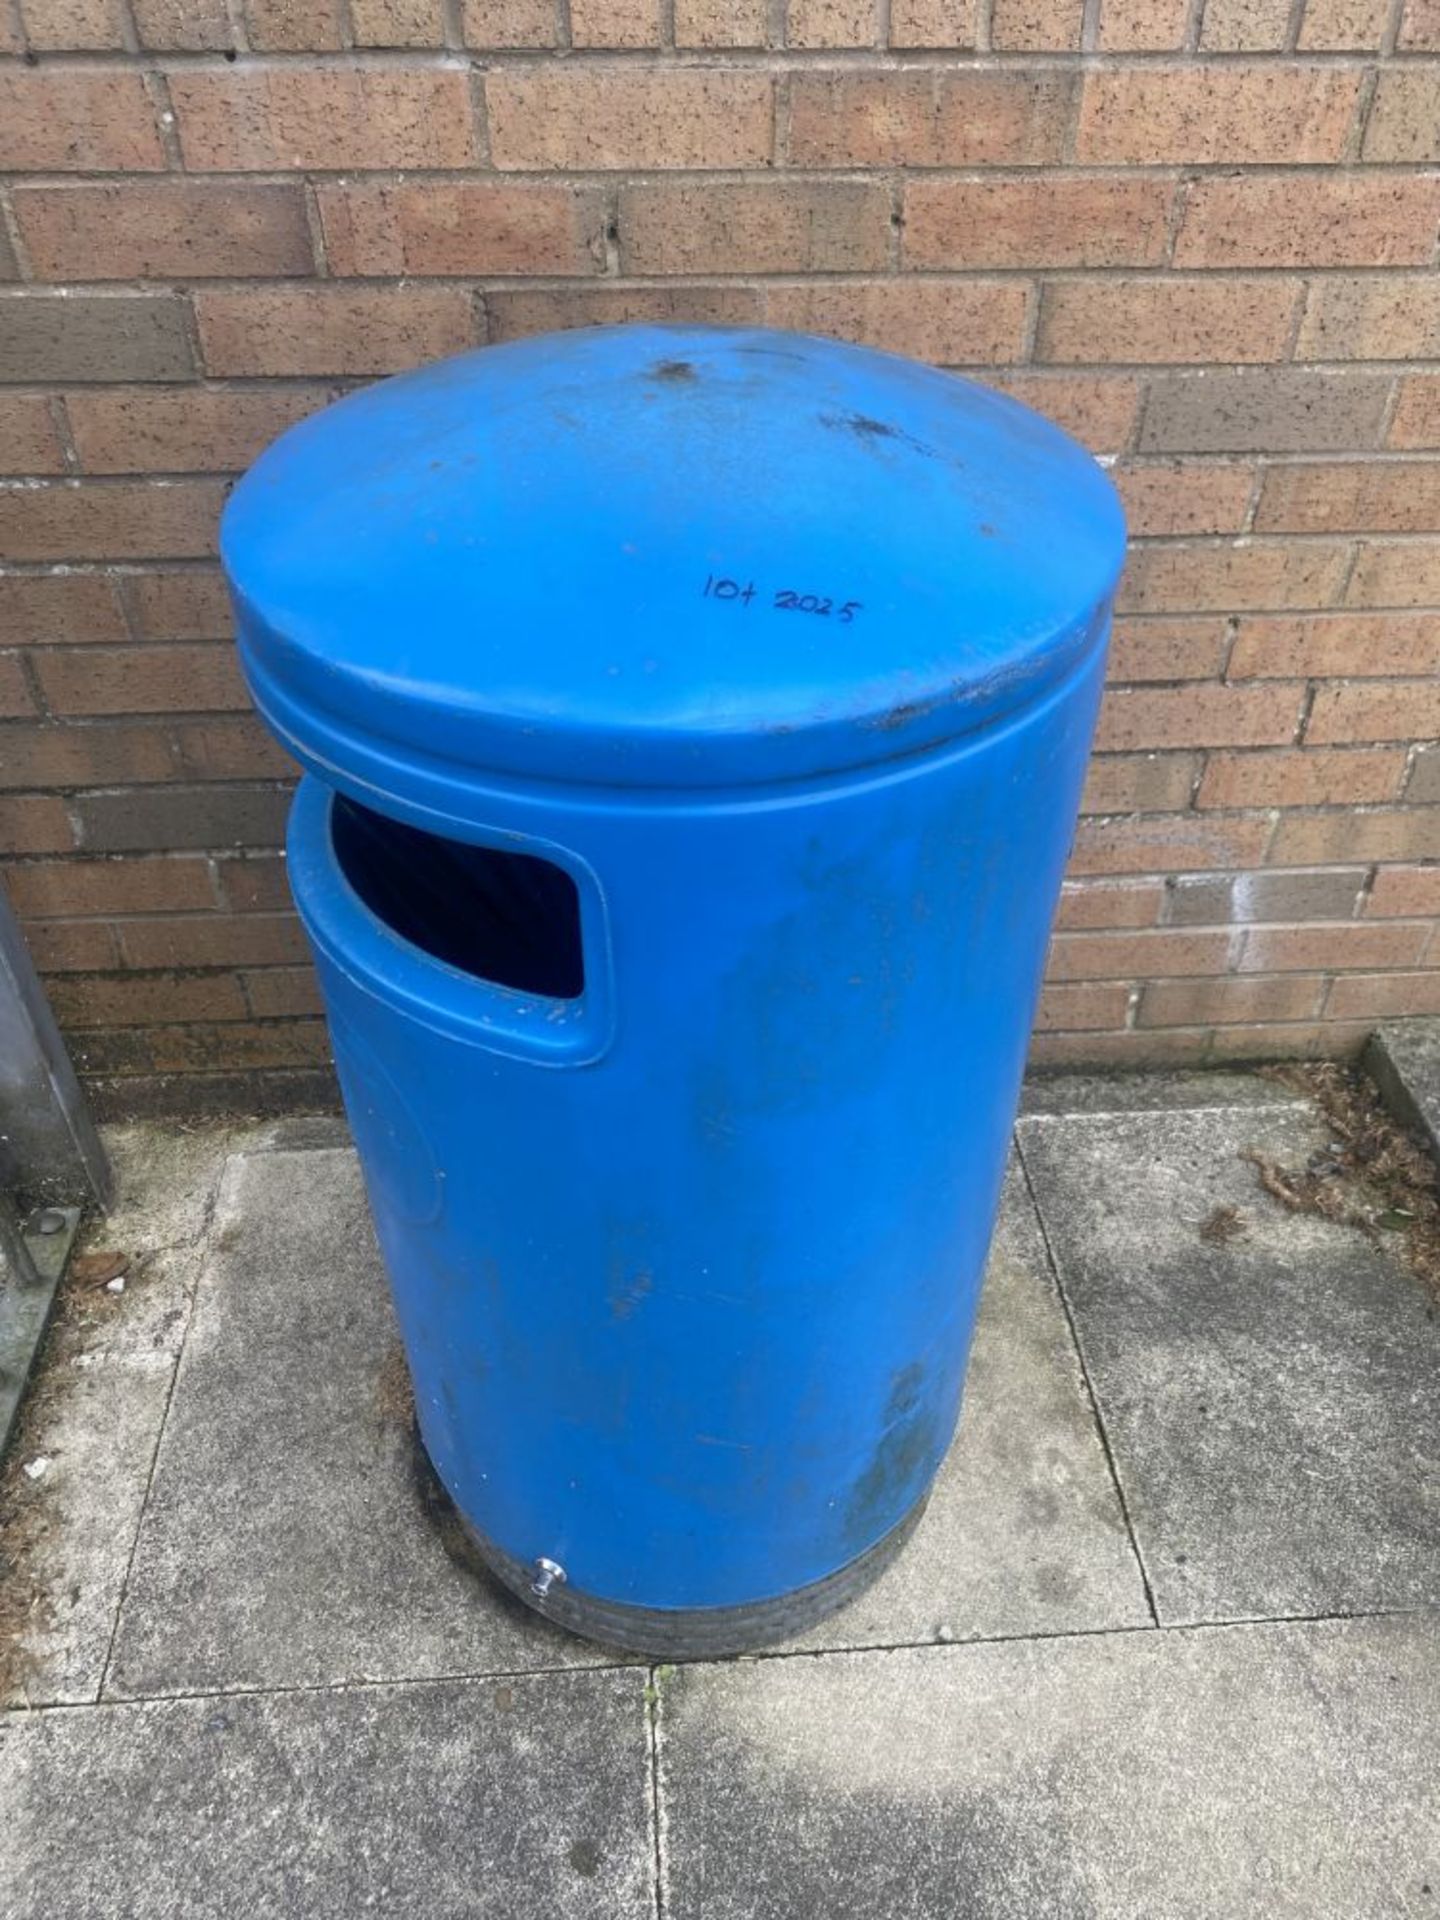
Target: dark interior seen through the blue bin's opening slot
<point x="504" y="917"/>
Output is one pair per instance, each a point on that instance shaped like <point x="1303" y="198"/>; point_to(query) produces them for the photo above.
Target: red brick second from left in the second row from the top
<point x="237" y="120"/>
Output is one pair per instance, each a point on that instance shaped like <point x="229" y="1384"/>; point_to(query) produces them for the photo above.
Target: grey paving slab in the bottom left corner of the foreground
<point x="418" y="1802"/>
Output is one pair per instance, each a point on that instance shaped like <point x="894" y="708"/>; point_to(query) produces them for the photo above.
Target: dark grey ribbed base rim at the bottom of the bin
<point x="671" y="1633"/>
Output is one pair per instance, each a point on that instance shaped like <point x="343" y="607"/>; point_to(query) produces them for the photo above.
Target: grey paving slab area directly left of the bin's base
<point x="285" y="1541"/>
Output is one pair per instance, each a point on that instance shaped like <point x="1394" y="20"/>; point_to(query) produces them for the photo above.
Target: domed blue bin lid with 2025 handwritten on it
<point x="663" y="556"/>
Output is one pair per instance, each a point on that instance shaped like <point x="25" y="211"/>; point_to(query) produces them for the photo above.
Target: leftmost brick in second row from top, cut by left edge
<point x="78" y="120"/>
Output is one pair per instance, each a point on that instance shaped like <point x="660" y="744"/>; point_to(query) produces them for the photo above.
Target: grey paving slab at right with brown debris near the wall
<point x="1272" y="1401"/>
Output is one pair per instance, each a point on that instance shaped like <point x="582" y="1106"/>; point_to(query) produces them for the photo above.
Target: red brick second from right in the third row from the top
<point x="1047" y="222"/>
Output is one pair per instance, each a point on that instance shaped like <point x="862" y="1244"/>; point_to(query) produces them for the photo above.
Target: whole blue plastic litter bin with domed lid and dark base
<point x="694" y="729"/>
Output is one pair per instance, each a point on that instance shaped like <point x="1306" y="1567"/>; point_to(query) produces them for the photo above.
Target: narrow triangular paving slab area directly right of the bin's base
<point x="1024" y="1533"/>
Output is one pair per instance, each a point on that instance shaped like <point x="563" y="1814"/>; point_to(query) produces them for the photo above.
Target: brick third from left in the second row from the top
<point x="621" y="116"/>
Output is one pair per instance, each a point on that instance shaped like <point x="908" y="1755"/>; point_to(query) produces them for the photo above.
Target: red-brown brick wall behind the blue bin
<point x="1199" y="235"/>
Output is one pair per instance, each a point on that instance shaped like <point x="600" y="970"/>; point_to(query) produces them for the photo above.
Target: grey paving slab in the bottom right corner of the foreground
<point x="1280" y="1771"/>
